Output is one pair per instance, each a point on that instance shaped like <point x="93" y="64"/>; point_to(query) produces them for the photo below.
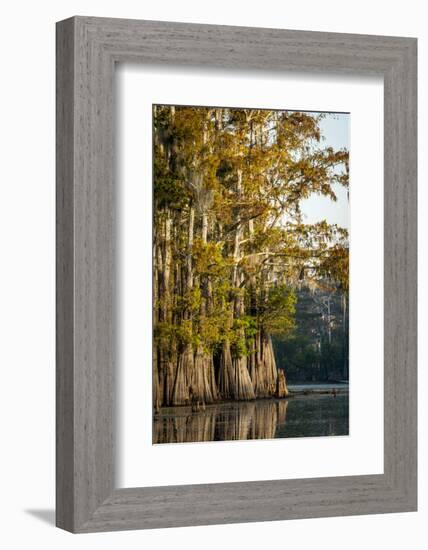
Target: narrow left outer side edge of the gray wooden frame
<point x="64" y="276"/>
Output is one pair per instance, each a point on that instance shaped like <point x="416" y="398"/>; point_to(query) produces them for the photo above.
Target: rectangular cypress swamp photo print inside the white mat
<point x="249" y="274"/>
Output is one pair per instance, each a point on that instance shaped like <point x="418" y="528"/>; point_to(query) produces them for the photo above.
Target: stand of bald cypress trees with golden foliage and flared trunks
<point x="230" y="245"/>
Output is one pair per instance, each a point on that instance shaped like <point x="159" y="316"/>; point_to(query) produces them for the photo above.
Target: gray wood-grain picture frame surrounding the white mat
<point x="87" y="50"/>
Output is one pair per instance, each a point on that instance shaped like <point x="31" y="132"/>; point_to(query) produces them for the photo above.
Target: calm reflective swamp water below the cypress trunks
<point x="312" y="415"/>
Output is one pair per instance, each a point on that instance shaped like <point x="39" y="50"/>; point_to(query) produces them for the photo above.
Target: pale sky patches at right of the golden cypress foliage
<point x="335" y="129"/>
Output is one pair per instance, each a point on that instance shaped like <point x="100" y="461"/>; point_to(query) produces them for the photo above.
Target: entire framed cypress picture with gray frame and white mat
<point x="236" y="274"/>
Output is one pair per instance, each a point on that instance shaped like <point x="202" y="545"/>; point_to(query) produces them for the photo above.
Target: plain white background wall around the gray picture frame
<point x="27" y="272"/>
